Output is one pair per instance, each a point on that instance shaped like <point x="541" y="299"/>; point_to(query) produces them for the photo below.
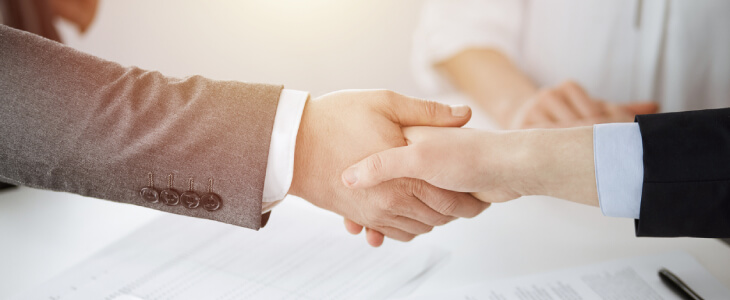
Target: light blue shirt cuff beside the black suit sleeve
<point x="619" y="161"/>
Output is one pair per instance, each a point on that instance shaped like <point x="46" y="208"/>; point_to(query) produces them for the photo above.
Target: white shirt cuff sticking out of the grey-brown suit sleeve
<point x="280" y="166"/>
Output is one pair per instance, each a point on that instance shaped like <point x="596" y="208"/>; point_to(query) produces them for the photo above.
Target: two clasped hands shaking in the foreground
<point x="399" y="166"/>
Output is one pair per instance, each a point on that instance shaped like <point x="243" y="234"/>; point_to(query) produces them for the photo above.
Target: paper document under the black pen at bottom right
<point x="633" y="278"/>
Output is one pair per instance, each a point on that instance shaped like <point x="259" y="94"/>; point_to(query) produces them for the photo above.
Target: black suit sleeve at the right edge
<point x="686" y="190"/>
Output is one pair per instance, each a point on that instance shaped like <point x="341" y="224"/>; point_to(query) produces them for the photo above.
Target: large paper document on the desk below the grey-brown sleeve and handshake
<point x="184" y="258"/>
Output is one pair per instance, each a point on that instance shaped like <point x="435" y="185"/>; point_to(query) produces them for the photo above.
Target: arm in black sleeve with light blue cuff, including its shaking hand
<point x="666" y="170"/>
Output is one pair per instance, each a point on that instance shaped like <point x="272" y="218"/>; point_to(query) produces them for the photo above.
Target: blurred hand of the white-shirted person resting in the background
<point x="568" y="105"/>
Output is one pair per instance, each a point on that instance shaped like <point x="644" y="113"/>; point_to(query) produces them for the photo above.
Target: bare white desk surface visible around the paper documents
<point x="43" y="233"/>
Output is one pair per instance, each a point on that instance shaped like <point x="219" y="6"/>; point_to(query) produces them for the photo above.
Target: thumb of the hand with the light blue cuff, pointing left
<point x="380" y="167"/>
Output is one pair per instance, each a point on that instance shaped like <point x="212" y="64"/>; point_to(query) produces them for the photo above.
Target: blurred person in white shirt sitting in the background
<point x="560" y="63"/>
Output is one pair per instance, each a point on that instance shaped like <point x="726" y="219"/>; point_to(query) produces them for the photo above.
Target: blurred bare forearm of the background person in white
<point x="492" y="80"/>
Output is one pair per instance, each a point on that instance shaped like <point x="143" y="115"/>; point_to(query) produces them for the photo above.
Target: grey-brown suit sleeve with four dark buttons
<point x="75" y="123"/>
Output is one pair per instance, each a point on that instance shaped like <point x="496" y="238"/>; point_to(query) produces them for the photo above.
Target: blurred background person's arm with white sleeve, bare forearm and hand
<point x="472" y="46"/>
